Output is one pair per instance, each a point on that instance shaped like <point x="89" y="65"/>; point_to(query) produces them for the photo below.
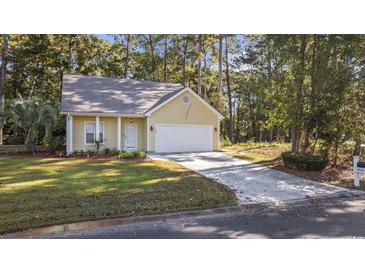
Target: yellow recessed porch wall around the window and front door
<point x="110" y="131"/>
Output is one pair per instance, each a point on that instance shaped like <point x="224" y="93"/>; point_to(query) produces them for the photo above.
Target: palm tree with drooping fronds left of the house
<point x="29" y="115"/>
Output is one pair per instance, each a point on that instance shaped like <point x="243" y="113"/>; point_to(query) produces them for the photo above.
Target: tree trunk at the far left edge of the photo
<point x="4" y="59"/>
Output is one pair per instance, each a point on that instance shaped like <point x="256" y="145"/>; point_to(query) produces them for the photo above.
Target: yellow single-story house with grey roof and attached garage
<point x="136" y="115"/>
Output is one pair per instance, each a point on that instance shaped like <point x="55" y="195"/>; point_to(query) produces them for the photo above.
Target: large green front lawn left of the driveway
<point x="42" y="191"/>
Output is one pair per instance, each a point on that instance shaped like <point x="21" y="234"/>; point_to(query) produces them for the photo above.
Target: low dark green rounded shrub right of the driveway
<point x="304" y="162"/>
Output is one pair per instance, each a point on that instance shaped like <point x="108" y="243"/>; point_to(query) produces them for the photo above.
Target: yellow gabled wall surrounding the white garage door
<point x="177" y="112"/>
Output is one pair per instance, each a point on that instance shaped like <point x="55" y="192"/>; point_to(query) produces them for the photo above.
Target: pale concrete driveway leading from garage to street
<point x="253" y="183"/>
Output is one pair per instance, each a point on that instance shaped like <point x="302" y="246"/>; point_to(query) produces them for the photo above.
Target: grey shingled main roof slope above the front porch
<point x="91" y="94"/>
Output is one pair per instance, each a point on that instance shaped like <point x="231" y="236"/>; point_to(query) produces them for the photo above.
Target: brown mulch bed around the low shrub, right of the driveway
<point x="340" y="175"/>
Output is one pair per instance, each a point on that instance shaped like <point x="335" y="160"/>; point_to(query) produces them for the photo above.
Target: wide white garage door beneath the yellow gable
<point x="183" y="138"/>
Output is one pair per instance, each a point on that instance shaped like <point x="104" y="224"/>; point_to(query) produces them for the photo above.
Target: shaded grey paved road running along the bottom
<point x="340" y="217"/>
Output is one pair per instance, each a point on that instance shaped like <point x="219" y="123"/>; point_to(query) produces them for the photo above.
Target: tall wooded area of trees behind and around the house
<point x="306" y="89"/>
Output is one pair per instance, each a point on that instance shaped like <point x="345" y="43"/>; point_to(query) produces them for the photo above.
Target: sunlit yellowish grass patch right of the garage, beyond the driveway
<point x="260" y="153"/>
